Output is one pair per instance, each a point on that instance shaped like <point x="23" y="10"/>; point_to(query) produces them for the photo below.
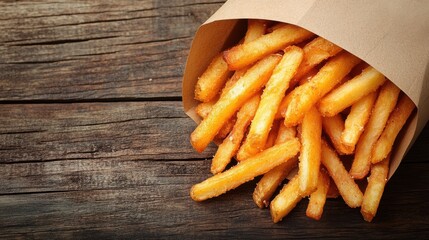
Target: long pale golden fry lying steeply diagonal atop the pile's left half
<point x="270" y="100"/>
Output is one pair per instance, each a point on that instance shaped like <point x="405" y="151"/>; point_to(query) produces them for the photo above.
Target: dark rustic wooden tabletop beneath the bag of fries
<point x="94" y="142"/>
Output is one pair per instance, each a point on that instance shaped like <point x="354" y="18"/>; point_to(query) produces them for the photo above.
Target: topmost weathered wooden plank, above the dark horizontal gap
<point x="62" y="50"/>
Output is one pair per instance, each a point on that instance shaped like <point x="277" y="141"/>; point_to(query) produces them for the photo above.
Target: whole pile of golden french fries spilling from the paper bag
<point x="284" y="100"/>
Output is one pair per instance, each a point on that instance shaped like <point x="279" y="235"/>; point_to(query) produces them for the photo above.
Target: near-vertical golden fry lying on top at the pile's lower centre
<point x="309" y="158"/>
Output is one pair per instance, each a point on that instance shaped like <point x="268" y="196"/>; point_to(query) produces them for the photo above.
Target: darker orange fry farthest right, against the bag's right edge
<point x="396" y="121"/>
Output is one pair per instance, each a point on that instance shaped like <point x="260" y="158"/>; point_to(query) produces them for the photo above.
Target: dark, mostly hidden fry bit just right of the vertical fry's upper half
<point x="333" y="127"/>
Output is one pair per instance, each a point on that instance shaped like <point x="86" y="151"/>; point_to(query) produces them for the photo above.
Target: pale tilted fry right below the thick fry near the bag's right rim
<point x="357" y="119"/>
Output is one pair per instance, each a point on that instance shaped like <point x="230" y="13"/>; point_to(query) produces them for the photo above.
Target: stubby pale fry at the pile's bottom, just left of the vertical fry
<point x="286" y="200"/>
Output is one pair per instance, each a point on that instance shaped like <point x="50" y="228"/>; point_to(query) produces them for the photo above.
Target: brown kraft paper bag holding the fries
<point x="390" y="35"/>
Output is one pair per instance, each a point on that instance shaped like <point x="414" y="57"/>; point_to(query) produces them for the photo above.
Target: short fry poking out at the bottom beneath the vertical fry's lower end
<point x="318" y="197"/>
